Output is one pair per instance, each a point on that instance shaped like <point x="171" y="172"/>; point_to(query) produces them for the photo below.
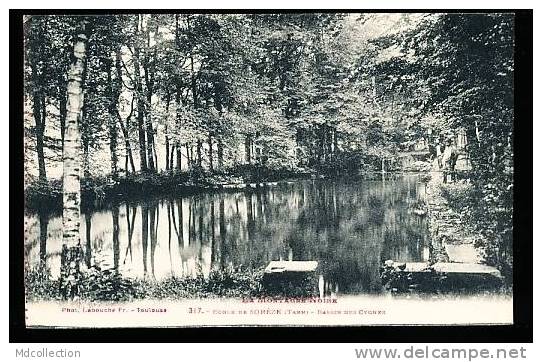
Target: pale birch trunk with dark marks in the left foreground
<point x="71" y="257"/>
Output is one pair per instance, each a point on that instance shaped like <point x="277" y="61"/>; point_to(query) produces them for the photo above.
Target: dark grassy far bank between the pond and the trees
<point x="97" y="193"/>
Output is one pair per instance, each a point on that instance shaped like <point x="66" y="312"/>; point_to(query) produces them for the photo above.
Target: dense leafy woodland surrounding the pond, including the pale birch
<point x="127" y="105"/>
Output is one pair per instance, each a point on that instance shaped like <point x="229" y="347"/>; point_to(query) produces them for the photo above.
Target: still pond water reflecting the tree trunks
<point x="348" y="226"/>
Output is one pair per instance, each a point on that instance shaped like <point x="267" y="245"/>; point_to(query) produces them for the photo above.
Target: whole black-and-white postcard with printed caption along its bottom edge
<point x="258" y="169"/>
